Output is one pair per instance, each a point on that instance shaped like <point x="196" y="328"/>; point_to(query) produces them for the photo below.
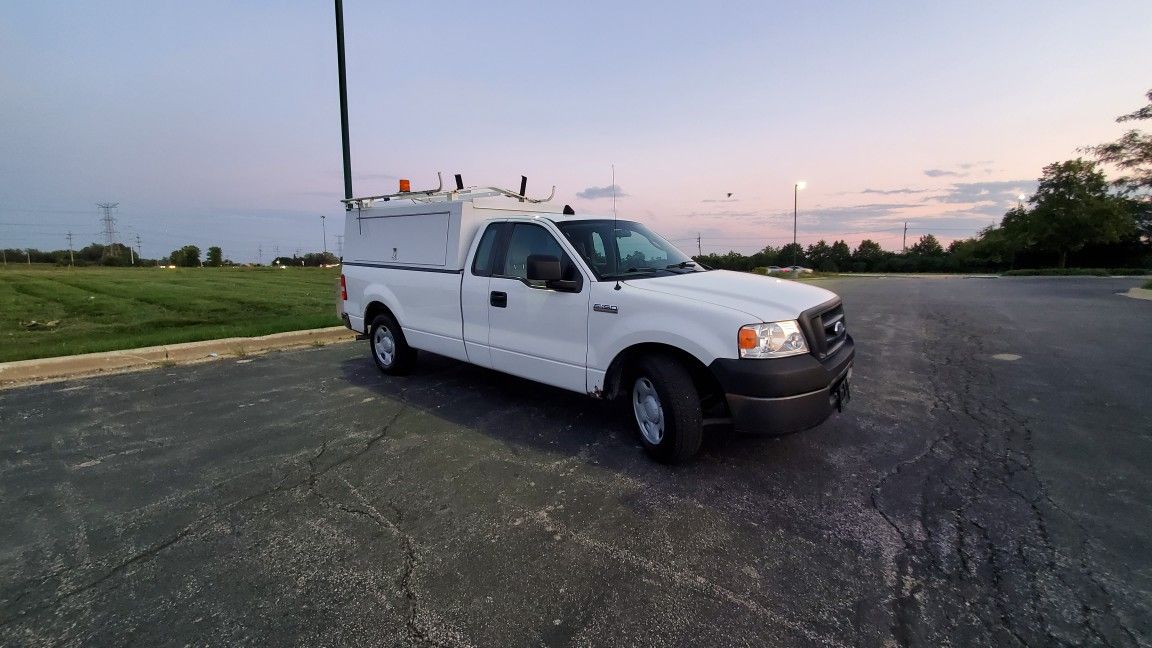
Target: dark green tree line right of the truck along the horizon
<point x="1077" y="217"/>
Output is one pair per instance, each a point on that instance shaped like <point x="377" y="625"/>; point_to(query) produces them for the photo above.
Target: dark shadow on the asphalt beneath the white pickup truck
<point x="525" y="413"/>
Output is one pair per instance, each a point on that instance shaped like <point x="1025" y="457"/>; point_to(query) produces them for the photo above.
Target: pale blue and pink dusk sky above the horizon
<point x="217" y="123"/>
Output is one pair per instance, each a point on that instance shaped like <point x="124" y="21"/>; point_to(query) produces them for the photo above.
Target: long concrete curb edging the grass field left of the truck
<point x="51" y="370"/>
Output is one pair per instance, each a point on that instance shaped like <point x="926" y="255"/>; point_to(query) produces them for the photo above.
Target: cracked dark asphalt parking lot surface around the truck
<point x="989" y="485"/>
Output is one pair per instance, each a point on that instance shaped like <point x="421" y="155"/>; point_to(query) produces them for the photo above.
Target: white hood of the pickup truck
<point x="764" y="298"/>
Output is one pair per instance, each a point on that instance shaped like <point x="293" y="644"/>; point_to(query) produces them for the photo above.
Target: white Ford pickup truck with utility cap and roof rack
<point x="593" y="305"/>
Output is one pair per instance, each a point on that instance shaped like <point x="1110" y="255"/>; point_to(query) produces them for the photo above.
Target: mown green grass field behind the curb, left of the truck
<point x="48" y="312"/>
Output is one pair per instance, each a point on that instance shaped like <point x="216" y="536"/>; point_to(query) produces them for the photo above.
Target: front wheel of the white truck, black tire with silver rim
<point x="662" y="388"/>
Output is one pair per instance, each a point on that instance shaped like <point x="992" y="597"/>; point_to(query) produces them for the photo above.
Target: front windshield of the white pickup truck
<point x="618" y="250"/>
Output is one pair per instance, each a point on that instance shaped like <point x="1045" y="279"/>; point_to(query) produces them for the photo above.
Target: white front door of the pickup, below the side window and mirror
<point x="539" y="333"/>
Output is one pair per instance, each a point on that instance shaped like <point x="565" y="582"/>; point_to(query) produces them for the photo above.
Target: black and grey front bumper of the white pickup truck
<point x="786" y="395"/>
